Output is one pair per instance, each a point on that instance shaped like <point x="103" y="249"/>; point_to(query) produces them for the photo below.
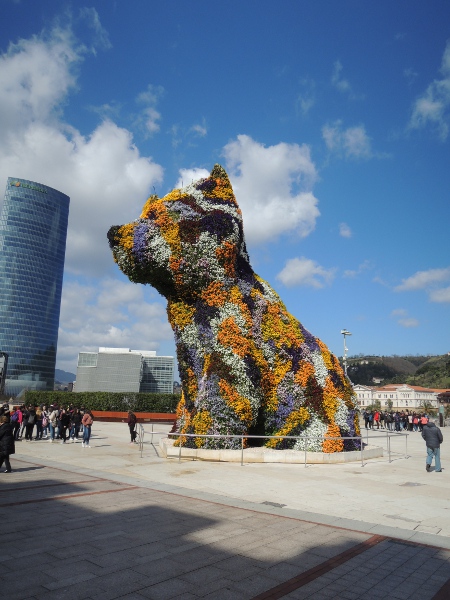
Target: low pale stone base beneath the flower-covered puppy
<point x="266" y="455"/>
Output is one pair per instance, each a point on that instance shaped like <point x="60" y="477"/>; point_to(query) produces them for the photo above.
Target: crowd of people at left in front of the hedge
<point x="35" y="423"/>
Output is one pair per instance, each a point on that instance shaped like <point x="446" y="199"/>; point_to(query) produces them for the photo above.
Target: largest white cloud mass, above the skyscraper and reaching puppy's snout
<point x="103" y="173"/>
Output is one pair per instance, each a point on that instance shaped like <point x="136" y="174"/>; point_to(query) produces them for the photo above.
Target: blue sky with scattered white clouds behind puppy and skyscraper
<point x="331" y="118"/>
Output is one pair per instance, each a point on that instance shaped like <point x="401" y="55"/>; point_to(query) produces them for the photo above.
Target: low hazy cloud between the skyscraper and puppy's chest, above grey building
<point x="113" y="314"/>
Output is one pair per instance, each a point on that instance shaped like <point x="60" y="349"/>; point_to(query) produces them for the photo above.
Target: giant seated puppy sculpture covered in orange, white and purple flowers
<point x="246" y="365"/>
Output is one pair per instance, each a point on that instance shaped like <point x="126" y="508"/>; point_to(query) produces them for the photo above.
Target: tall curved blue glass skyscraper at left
<point x="33" y="230"/>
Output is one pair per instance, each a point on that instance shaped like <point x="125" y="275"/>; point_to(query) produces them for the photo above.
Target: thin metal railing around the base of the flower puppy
<point x="387" y="435"/>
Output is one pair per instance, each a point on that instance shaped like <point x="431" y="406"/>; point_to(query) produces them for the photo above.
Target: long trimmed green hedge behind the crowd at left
<point x="106" y="400"/>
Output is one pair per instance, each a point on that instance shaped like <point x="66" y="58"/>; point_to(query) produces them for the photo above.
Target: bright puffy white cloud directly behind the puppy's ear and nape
<point x="273" y="186"/>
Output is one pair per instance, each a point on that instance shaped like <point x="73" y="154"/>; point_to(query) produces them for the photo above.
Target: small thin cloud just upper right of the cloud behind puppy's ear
<point x="352" y="143"/>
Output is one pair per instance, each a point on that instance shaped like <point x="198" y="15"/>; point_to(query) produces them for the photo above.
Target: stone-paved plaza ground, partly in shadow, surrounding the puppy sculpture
<point x="104" y="523"/>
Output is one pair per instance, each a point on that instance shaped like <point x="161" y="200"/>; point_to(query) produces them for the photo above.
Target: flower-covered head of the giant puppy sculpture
<point x="186" y="240"/>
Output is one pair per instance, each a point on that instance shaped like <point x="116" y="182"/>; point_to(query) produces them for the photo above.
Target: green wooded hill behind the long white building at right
<point x="426" y="371"/>
